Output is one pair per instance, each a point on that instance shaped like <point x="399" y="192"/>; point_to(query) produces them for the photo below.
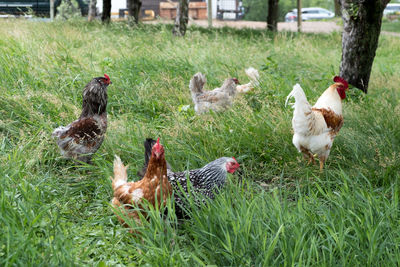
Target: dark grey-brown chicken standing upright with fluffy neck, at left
<point x="83" y="137"/>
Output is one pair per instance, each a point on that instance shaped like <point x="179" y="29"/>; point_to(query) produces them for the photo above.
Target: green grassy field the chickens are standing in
<point x="278" y="212"/>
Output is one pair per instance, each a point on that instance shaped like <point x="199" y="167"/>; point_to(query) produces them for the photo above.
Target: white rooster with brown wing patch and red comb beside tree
<point x="316" y="127"/>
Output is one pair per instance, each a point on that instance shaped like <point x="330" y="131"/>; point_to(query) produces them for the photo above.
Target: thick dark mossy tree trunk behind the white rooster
<point x="362" y="26"/>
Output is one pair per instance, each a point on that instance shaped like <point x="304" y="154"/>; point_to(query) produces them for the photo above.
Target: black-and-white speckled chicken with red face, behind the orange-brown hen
<point x="206" y="180"/>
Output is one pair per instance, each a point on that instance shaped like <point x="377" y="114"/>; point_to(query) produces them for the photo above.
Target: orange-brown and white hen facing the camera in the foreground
<point x="128" y="196"/>
